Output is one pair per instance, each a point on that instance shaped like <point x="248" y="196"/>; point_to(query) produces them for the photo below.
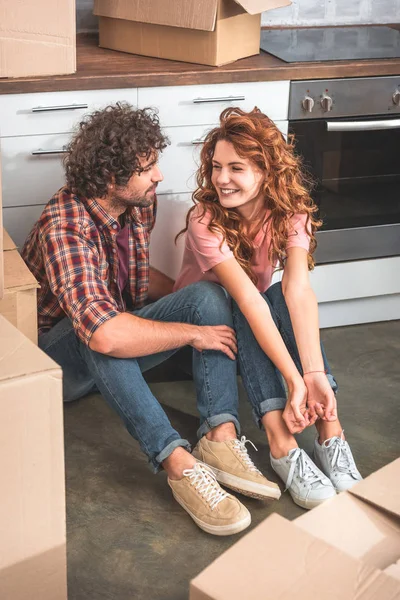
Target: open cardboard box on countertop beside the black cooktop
<point x="209" y="32"/>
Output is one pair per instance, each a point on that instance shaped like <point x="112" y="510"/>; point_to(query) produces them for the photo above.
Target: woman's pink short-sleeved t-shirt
<point x="203" y="251"/>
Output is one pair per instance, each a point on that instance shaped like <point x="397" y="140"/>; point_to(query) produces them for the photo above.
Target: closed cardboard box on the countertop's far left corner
<point x="37" y="38"/>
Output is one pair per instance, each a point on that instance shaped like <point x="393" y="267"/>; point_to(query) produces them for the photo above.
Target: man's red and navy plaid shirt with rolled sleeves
<point x="73" y="254"/>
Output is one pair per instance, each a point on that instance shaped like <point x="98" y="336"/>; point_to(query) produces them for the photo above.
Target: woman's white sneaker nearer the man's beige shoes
<point x="307" y="485"/>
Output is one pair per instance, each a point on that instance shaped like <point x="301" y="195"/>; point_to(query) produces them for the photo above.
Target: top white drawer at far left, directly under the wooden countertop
<point x="54" y="112"/>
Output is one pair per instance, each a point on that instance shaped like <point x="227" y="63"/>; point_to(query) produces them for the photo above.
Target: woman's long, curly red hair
<point x="286" y="188"/>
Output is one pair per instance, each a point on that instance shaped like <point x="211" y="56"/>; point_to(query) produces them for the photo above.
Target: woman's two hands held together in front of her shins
<point x="310" y="398"/>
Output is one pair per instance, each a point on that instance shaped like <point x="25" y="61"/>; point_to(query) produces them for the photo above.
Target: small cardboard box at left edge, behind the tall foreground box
<point x="19" y="302"/>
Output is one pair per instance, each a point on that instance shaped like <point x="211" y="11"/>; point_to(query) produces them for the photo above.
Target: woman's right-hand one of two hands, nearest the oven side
<point x="321" y="401"/>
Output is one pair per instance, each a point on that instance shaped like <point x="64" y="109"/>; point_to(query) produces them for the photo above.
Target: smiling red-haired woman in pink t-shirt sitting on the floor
<point x="252" y="213"/>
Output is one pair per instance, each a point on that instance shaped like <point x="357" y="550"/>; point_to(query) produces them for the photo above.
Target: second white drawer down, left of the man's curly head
<point x="30" y="178"/>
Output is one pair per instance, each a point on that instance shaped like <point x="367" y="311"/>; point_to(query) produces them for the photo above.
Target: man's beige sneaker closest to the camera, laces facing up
<point x="212" y="509"/>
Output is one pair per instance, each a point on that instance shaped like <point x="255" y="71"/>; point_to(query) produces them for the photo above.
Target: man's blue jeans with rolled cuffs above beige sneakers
<point x="121" y="382"/>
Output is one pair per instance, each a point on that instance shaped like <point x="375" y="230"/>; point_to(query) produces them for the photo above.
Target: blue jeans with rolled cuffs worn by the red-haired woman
<point x="261" y="379"/>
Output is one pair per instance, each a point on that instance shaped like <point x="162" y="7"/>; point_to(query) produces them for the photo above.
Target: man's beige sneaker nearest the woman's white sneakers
<point x="234" y="468"/>
